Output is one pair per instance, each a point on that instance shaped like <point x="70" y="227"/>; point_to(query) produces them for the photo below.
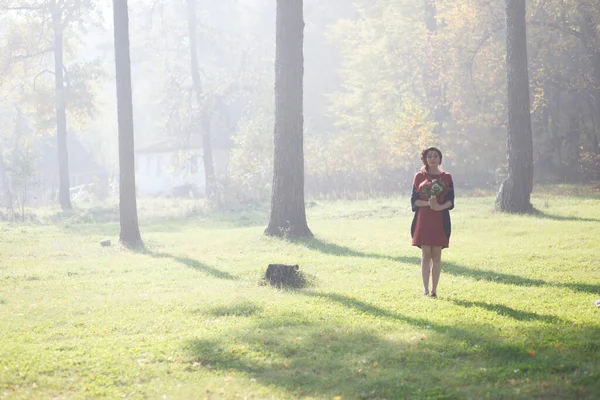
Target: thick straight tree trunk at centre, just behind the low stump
<point x="288" y="213"/>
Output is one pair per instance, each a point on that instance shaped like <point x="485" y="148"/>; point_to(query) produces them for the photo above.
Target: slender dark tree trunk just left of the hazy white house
<point x="130" y="232"/>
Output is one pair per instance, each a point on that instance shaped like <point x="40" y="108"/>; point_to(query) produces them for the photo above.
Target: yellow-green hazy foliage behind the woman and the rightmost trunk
<point x="390" y="61"/>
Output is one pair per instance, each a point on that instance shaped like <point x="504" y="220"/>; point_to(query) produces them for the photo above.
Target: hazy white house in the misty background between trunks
<point x="175" y="167"/>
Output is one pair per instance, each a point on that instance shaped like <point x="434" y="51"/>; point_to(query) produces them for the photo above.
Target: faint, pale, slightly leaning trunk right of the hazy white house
<point x="204" y="106"/>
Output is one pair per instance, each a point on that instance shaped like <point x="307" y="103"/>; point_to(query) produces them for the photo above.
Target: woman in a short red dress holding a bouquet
<point x="430" y="229"/>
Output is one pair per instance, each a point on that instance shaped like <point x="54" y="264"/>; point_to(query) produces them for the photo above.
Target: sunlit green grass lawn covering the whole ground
<point x="189" y="319"/>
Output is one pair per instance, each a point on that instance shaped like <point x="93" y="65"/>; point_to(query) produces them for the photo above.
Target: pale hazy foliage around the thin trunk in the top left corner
<point x="30" y="56"/>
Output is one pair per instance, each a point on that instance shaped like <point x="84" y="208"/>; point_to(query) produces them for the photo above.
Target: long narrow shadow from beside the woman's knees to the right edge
<point x="508" y="279"/>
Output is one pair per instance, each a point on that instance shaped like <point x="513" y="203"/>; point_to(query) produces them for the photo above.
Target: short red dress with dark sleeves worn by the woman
<point x="431" y="228"/>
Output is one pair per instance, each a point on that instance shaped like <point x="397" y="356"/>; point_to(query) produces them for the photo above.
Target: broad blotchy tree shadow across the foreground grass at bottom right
<point x="306" y="356"/>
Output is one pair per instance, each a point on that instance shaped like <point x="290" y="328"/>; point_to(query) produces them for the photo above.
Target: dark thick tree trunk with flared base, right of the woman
<point x="515" y="192"/>
